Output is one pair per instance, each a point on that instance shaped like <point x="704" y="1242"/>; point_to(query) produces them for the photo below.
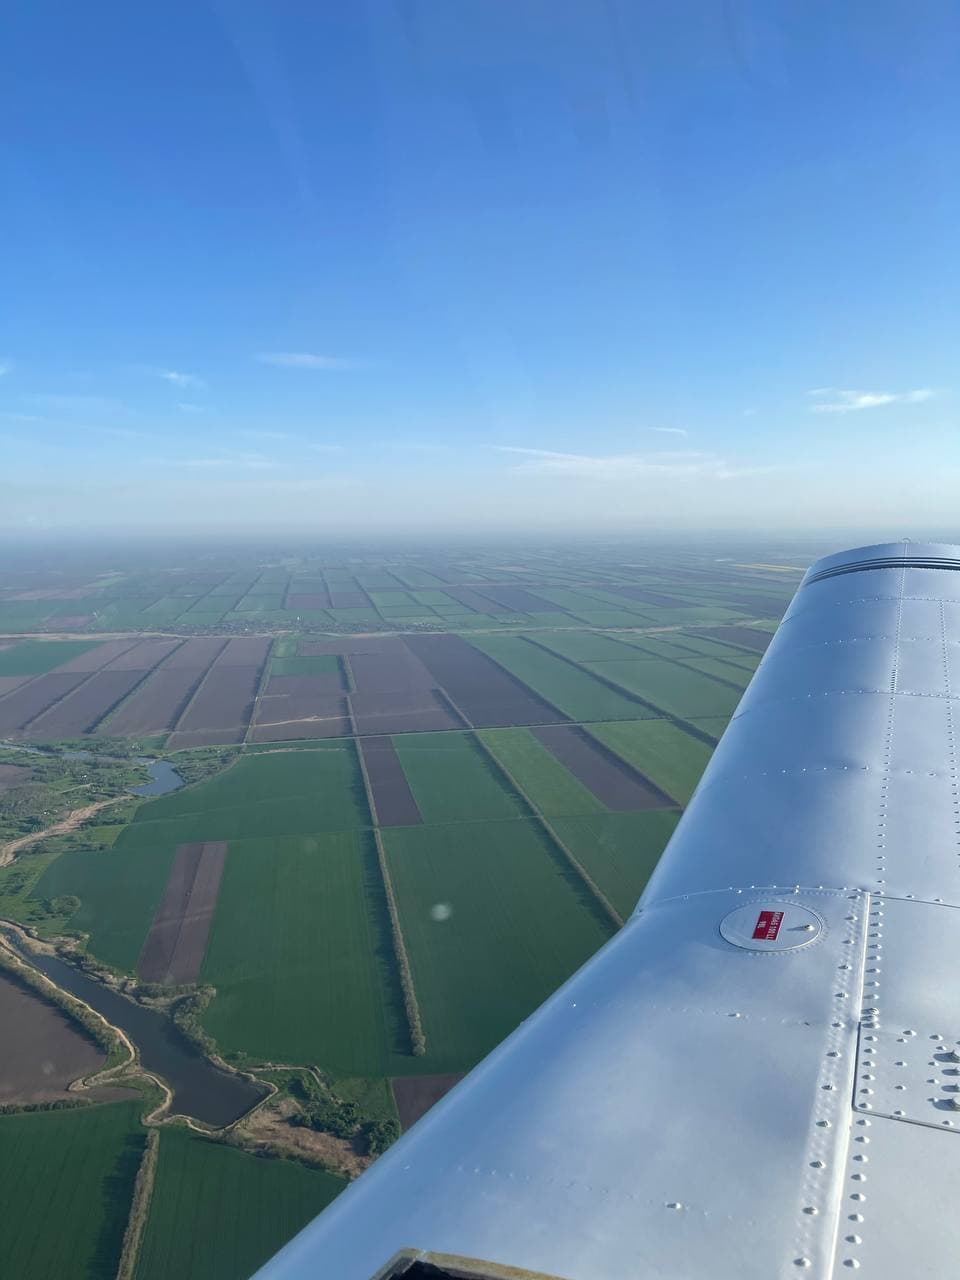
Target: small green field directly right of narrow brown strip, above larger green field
<point x="452" y="780"/>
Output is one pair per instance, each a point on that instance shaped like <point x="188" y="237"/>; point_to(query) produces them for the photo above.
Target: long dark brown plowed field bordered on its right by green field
<point x="483" y="691"/>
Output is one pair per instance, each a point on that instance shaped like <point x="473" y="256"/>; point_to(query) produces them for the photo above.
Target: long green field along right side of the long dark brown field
<point x="572" y="689"/>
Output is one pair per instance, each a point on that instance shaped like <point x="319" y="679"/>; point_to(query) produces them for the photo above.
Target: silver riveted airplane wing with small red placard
<point x="760" y="1076"/>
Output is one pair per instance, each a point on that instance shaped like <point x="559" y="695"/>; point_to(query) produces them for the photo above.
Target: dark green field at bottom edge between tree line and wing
<point x="220" y="1214"/>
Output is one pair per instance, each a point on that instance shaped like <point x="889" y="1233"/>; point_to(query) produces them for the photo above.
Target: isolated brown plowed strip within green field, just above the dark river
<point x="173" y="952"/>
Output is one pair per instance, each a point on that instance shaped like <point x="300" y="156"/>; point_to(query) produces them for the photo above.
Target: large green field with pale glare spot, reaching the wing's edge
<point x="520" y="922"/>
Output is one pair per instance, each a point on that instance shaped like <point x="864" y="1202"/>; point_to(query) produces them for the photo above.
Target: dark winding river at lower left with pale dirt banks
<point x="200" y="1090"/>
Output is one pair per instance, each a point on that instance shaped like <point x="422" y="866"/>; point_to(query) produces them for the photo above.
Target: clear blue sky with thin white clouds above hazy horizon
<point x="481" y="266"/>
